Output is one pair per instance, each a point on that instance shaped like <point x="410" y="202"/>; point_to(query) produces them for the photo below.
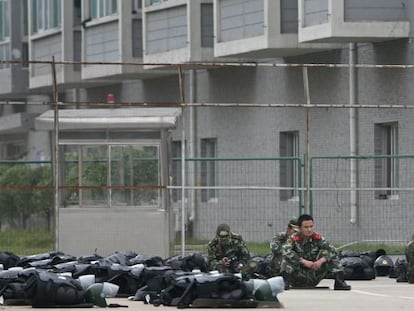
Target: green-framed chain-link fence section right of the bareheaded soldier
<point x="376" y="209"/>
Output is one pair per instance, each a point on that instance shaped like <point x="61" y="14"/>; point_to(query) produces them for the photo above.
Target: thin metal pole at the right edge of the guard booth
<point x="183" y="181"/>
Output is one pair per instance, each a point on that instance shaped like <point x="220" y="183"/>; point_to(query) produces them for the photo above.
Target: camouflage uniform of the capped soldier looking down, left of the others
<point x="234" y="248"/>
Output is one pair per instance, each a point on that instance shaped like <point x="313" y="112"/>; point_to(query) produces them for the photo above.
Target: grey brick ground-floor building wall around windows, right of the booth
<point x="254" y="132"/>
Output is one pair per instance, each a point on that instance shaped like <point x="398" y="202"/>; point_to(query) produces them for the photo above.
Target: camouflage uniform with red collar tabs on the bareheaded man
<point x="313" y="248"/>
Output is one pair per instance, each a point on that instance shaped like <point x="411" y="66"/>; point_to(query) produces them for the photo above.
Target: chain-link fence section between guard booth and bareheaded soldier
<point x="253" y="195"/>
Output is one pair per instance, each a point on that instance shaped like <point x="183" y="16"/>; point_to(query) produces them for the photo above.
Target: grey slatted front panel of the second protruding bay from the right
<point x="241" y="19"/>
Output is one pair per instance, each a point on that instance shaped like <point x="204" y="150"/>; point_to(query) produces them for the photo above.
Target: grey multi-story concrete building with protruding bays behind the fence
<point x="265" y="32"/>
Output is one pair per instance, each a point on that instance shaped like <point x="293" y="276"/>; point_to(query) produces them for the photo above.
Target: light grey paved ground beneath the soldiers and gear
<point x="382" y="293"/>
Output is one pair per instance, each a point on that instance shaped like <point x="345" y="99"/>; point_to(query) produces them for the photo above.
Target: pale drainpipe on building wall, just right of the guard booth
<point x="192" y="146"/>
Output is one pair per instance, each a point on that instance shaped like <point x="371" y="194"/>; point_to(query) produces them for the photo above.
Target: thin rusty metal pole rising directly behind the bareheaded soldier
<point x="307" y="153"/>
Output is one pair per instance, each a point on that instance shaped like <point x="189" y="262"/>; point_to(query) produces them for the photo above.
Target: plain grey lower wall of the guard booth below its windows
<point x="84" y="230"/>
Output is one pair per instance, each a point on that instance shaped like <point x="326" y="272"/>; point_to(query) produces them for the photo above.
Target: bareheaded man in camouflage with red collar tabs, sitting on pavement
<point x="308" y="258"/>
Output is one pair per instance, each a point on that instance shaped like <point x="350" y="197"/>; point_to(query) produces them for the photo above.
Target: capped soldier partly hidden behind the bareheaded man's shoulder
<point x="277" y="243"/>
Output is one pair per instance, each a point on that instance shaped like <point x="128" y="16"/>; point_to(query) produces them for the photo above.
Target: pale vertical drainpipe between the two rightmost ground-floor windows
<point x="353" y="131"/>
